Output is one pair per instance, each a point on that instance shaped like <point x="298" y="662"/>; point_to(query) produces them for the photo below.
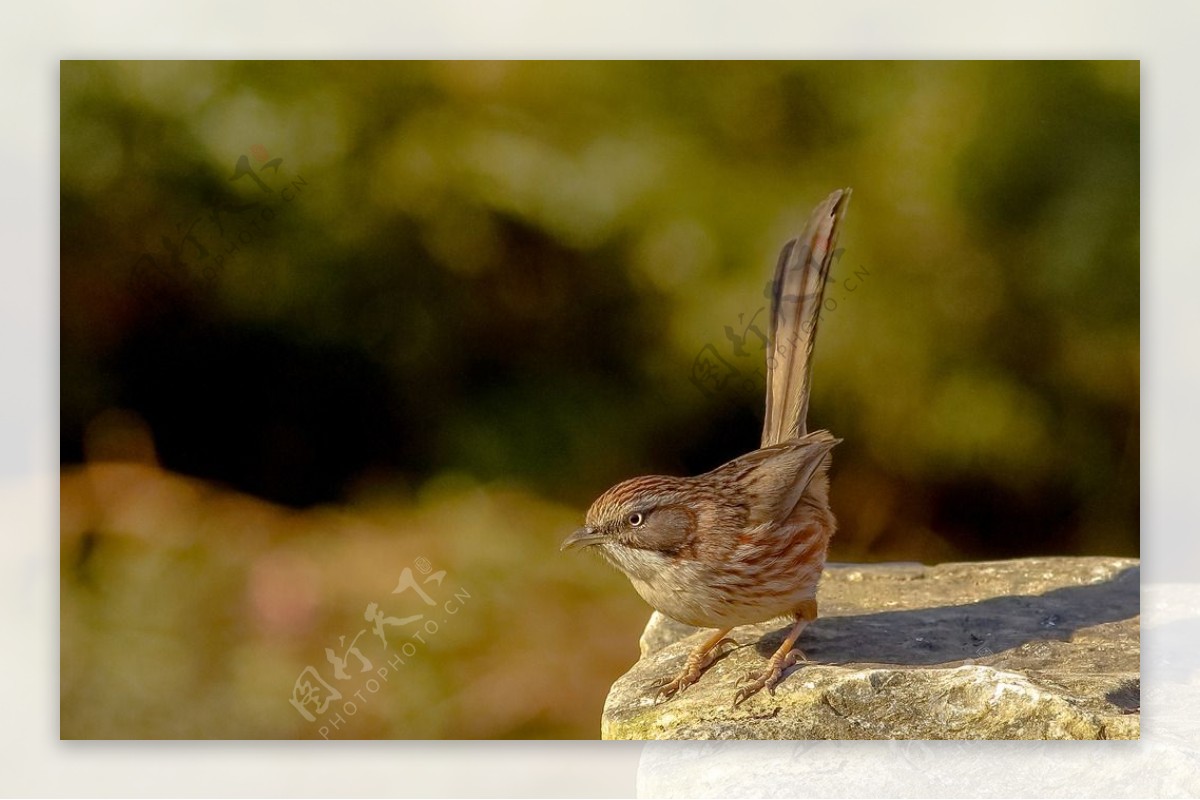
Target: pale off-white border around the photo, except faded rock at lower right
<point x="37" y="37"/>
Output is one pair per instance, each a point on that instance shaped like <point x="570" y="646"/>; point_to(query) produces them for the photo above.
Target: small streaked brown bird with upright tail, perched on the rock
<point x="746" y="543"/>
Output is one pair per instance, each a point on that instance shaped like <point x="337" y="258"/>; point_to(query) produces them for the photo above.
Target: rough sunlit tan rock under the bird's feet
<point x="1024" y="649"/>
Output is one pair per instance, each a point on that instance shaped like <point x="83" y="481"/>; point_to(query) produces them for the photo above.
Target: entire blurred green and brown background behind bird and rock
<point x="332" y="330"/>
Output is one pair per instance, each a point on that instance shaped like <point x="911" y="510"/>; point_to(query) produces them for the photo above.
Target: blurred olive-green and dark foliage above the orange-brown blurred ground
<point x="507" y="270"/>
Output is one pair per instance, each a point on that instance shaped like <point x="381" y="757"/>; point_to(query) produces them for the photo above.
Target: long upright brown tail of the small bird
<point x="796" y="302"/>
